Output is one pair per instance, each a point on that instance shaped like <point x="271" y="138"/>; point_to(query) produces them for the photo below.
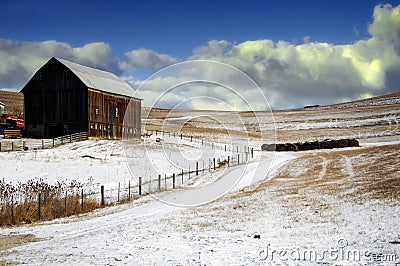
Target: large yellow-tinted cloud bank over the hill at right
<point x="292" y="75"/>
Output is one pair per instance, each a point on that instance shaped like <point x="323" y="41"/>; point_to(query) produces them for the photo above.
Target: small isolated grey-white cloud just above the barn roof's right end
<point x="144" y="58"/>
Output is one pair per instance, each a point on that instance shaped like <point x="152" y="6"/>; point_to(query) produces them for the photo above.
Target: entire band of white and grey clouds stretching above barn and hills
<point x="289" y="74"/>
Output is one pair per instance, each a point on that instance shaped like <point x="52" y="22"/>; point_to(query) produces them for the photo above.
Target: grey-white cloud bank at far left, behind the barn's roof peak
<point x="19" y="60"/>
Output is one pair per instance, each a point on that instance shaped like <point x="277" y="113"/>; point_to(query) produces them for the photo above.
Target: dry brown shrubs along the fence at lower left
<point x="20" y="203"/>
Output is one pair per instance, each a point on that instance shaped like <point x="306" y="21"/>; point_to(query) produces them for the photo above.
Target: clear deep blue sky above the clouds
<point x="177" y="27"/>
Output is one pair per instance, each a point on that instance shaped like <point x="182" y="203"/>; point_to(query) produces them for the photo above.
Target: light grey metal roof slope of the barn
<point x="98" y="79"/>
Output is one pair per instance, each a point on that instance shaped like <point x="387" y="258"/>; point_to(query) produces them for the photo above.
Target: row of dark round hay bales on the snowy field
<point x="313" y="145"/>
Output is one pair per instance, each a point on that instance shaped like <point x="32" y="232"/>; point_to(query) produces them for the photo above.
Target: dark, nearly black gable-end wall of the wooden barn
<point x="55" y="102"/>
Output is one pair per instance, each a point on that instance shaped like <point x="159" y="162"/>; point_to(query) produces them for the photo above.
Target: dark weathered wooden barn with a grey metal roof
<point x="64" y="98"/>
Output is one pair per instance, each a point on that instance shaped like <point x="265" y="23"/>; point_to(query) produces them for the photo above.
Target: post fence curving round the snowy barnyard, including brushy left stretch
<point x="36" y="200"/>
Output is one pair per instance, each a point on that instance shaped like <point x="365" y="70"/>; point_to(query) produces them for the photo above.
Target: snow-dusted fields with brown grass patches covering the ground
<point x="321" y="207"/>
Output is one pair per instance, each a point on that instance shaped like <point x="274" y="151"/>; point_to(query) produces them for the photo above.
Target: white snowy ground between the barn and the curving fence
<point x="114" y="164"/>
